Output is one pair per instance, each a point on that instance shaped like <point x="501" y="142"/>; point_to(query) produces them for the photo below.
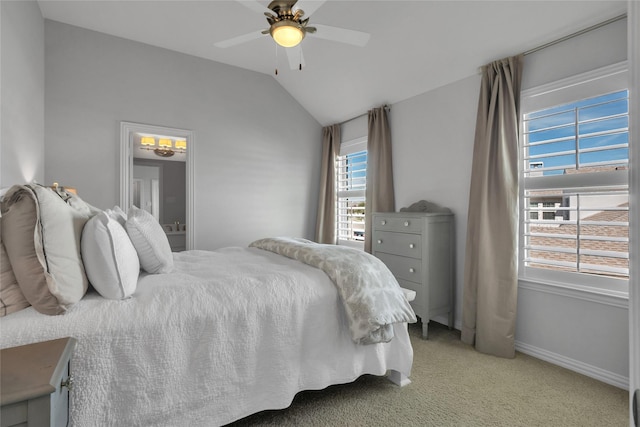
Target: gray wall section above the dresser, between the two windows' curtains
<point x="432" y="138"/>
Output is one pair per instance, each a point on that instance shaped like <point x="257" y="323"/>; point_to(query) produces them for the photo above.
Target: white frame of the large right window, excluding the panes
<point x="582" y="86"/>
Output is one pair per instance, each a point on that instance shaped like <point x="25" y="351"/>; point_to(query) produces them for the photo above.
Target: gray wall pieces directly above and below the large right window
<point x="579" y="330"/>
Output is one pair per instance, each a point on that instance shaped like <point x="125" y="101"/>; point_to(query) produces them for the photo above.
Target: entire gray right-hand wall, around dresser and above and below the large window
<point x="432" y="153"/>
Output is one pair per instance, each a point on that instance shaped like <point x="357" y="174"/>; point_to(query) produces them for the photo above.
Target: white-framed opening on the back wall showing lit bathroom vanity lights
<point x="157" y="176"/>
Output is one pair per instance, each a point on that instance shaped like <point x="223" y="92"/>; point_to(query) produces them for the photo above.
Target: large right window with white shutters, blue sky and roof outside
<point x="574" y="181"/>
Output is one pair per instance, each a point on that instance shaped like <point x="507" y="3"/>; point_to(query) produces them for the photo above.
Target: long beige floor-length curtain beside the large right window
<point x="491" y="263"/>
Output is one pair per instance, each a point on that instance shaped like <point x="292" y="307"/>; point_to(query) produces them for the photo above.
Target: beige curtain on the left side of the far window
<point x="326" y="220"/>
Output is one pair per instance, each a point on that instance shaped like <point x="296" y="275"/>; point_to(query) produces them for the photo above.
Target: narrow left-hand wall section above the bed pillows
<point x="22" y="85"/>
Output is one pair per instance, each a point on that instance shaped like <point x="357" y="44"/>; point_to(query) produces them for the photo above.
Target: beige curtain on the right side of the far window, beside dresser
<point x="379" y="194"/>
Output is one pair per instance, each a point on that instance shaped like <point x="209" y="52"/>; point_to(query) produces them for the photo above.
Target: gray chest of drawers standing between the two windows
<point x="418" y="249"/>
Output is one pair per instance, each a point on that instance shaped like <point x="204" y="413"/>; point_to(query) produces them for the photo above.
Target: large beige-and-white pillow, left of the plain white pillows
<point x="42" y="235"/>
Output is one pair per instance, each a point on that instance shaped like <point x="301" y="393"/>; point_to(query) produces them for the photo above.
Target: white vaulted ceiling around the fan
<point x="415" y="46"/>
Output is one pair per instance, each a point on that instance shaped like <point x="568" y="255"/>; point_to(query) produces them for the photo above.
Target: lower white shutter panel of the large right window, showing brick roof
<point x="586" y="232"/>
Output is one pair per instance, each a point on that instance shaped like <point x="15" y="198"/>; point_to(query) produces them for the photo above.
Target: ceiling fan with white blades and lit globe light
<point x="288" y="25"/>
